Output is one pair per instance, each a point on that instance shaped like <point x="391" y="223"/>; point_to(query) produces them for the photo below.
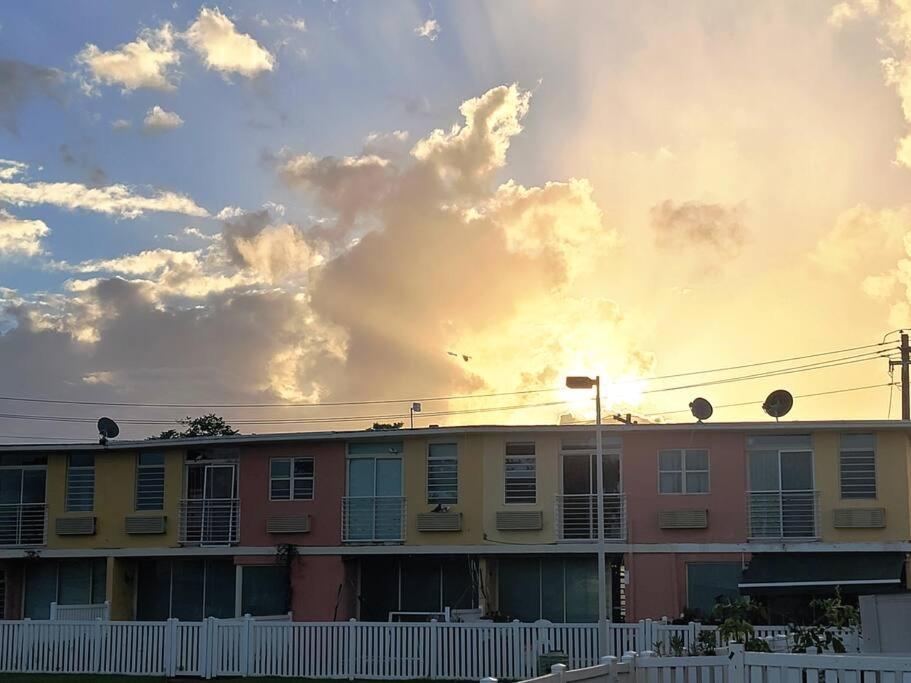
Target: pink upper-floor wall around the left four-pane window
<point x="325" y="509"/>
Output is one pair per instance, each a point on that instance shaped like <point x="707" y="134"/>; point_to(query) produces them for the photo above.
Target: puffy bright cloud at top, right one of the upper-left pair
<point x="216" y="40"/>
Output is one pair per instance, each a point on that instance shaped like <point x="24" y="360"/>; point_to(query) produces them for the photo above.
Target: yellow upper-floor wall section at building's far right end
<point x="892" y="481"/>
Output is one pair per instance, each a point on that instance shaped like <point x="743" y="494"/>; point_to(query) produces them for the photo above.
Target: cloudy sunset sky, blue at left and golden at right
<point x="238" y="207"/>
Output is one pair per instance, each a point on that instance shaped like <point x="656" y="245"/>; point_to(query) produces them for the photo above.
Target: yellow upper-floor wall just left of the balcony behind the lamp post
<point x="547" y="448"/>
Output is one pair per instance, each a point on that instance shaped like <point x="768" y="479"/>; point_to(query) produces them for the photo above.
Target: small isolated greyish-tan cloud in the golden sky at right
<point x="698" y="225"/>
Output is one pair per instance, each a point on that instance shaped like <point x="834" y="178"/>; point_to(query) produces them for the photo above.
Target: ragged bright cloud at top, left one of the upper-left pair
<point x="147" y="62"/>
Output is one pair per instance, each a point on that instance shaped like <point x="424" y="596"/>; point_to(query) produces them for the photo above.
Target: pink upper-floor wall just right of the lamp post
<point x="726" y="501"/>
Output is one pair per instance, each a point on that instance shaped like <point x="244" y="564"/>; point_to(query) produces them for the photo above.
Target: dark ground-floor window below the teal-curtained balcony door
<point x="416" y="584"/>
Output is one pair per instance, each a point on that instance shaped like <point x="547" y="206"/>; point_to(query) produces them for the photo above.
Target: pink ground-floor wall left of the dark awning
<point x="658" y="582"/>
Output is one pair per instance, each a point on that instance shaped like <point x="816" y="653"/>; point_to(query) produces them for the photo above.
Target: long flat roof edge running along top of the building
<point x="283" y="437"/>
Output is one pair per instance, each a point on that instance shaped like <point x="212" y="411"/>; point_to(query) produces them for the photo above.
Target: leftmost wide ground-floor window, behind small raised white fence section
<point x="66" y="582"/>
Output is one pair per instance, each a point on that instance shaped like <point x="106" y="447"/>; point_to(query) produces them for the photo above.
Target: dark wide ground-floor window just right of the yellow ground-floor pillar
<point x="186" y="589"/>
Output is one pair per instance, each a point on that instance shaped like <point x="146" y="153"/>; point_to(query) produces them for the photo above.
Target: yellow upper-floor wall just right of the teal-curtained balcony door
<point x="471" y="503"/>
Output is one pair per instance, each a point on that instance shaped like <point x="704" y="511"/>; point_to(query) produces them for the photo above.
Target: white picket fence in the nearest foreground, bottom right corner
<point x="734" y="666"/>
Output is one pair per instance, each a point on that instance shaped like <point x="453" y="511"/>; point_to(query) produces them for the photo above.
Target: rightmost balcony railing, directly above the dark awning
<point x="784" y="515"/>
